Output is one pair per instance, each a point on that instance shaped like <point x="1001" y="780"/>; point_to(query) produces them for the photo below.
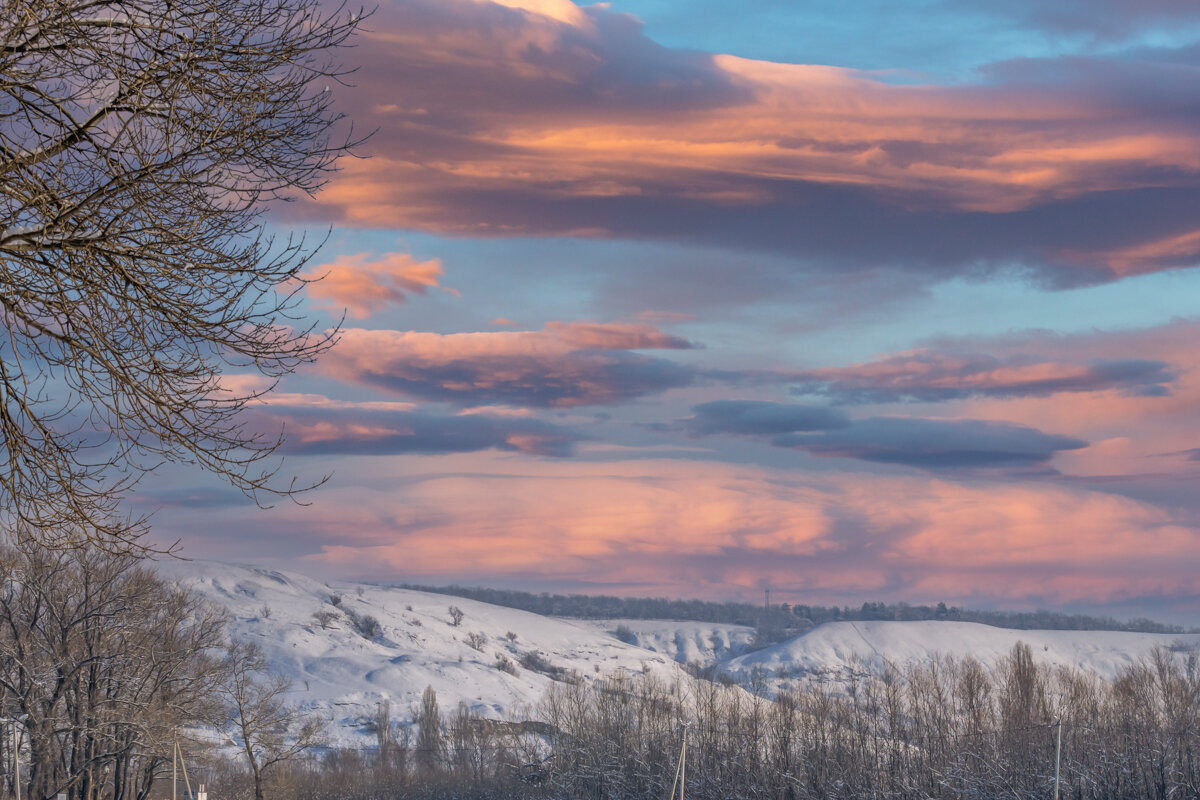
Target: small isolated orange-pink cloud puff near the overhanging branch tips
<point x="364" y="284"/>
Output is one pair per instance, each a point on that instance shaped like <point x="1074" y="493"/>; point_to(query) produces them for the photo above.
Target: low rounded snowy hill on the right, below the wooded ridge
<point x="835" y="648"/>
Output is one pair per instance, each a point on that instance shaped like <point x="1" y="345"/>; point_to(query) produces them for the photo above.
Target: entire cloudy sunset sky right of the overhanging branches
<point x="891" y="300"/>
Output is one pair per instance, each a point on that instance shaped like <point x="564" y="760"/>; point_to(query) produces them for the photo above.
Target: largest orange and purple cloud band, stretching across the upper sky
<point x="551" y="119"/>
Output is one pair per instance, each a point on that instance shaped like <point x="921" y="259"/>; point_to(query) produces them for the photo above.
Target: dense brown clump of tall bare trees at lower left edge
<point x="103" y="661"/>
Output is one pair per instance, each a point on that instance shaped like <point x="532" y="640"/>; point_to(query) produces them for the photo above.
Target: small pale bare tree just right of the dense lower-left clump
<point x="271" y="731"/>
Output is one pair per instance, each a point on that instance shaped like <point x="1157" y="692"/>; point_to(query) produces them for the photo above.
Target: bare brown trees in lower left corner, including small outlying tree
<point x="105" y="666"/>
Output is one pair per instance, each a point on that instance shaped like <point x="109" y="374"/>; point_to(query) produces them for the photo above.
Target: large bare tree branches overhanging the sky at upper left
<point x="140" y="143"/>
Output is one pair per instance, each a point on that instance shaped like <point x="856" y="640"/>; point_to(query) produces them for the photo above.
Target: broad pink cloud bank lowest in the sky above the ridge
<point x="705" y="530"/>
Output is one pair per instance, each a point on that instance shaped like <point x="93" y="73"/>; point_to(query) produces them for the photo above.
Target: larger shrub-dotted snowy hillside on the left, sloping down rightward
<point x="339" y="672"/>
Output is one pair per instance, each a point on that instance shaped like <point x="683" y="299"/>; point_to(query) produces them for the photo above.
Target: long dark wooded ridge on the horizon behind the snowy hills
<point x="785" y="617"/>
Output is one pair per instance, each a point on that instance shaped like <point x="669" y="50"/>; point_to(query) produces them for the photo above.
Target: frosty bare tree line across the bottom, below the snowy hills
<point x="944" y="730"/>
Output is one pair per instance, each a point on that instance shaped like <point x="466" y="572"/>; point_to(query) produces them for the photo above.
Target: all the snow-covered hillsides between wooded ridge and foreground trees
<point x="339" y="672"/>
